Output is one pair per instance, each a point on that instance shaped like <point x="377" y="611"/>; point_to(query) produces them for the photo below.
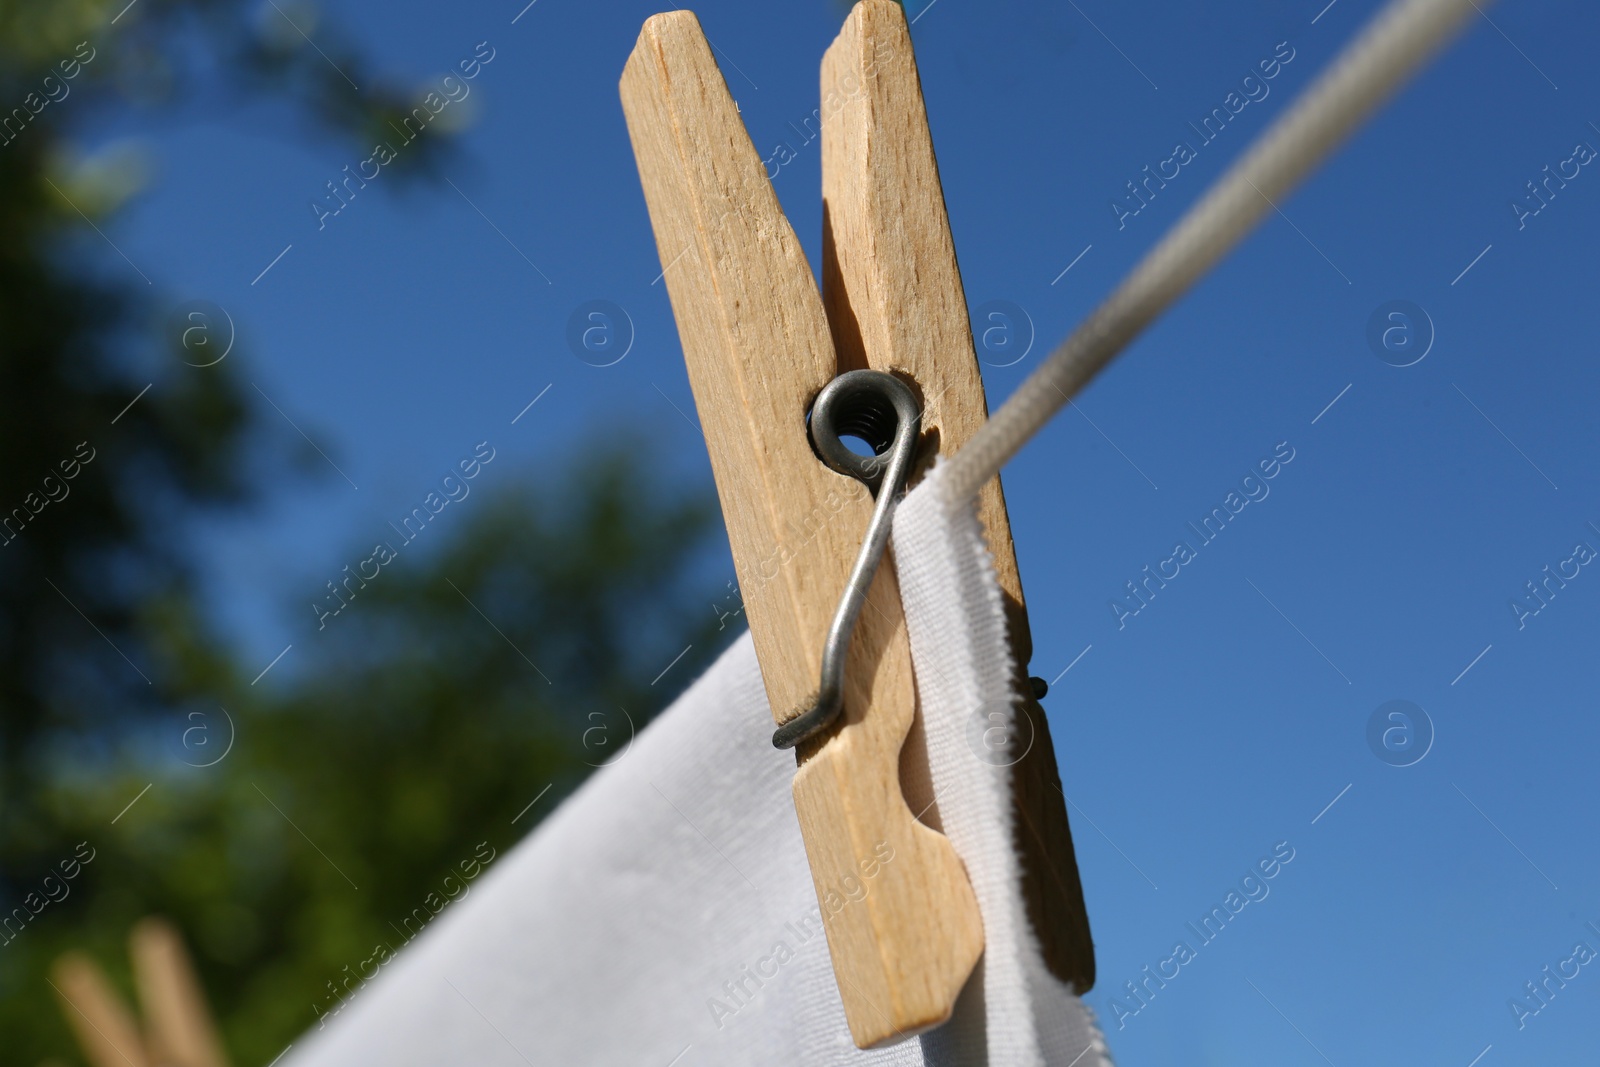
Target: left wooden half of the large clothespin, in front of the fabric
<point x="758" y="348"/>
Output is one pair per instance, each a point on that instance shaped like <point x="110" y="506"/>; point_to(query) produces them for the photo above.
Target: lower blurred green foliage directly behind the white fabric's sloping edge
<point x="415" y="732"/>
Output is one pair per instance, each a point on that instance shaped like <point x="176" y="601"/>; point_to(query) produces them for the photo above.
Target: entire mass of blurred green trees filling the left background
<point x="476" y="674"/>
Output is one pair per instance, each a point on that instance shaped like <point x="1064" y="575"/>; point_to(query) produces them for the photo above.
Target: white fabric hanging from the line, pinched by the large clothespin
<point x="665" y="914"/>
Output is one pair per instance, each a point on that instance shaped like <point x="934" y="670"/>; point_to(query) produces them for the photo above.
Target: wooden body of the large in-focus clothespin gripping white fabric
<point x="761" y="343"/>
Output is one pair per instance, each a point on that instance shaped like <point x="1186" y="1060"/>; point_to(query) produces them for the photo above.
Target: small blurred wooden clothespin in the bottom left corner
<point x="178" y="1029"/>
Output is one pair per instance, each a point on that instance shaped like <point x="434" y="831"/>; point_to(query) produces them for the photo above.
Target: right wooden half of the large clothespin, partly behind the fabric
<point x="895" y="303"/>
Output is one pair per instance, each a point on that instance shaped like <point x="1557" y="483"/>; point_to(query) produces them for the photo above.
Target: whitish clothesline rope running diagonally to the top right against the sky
<point x="1370" y="68"/>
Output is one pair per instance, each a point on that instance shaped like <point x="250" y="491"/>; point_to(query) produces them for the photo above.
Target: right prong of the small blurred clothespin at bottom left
<point x="177" y="1018"/>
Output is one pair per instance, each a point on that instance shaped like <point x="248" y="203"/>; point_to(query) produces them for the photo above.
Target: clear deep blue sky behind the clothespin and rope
<point x="1231" y="711"/>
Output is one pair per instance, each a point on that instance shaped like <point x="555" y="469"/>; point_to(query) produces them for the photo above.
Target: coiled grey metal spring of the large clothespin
<point x="881" y="410"/>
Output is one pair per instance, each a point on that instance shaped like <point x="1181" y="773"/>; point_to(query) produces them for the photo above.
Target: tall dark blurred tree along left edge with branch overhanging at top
<point x="76" y="580"/>
